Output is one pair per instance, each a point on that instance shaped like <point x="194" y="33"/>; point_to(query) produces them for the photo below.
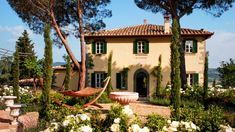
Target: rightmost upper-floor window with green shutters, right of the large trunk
<point x="190" y="46"/>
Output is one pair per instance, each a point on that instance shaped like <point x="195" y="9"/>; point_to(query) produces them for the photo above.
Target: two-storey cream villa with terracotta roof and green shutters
<point x="136" y="50"/>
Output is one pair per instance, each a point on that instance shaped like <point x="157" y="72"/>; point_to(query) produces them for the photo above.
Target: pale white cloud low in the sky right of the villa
<point x="221" y="47"/>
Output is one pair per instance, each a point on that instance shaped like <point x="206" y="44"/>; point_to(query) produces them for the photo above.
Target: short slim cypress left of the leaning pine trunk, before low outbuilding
<point x="67" y="75"/>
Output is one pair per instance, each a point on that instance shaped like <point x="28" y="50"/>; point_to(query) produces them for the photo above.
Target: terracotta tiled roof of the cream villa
<point x="145" y="30"/>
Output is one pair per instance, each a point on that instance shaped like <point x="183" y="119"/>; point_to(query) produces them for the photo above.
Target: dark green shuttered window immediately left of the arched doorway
<point x="121" y="80"/>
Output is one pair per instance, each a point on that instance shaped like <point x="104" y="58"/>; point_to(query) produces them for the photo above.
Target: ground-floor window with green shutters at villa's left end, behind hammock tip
<point x="97" y="79"/>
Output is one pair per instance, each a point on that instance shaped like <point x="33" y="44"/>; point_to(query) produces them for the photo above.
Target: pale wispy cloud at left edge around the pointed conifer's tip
<point x="14" y="32"/>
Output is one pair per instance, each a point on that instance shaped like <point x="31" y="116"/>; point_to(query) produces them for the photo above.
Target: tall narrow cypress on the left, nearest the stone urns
<point x="47" y="75"/>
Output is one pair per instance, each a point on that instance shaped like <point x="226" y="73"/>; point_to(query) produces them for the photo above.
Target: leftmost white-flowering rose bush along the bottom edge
<point x="72" y="123"/>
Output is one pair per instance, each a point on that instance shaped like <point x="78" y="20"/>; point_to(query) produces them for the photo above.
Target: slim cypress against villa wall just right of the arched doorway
<point x="159" y="76"/>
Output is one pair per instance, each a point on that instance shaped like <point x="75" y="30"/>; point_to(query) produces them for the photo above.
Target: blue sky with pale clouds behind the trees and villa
<point x="221" y="45"/>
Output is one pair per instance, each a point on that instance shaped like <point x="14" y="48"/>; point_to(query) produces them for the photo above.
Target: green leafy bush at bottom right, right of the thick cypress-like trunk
<point x="206" y="120"/>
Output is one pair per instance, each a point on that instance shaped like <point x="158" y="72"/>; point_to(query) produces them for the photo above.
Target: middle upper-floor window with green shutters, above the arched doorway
<point x="141" y="47"/>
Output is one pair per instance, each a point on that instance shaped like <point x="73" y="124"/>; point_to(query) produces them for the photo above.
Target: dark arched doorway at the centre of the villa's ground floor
<point x="141" y="82"/>
